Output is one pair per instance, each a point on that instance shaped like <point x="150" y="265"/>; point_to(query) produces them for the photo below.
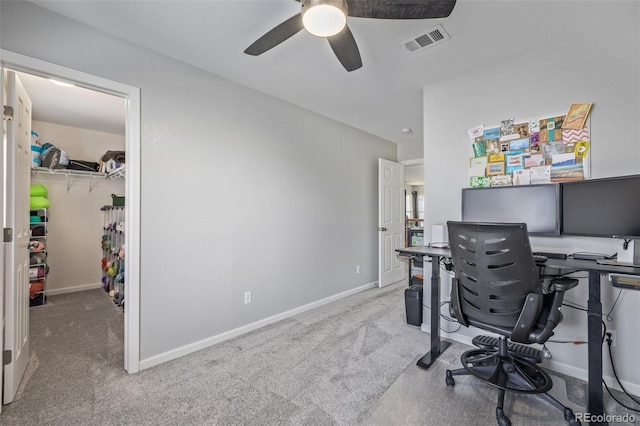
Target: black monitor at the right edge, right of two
<point x="607" y="207"/>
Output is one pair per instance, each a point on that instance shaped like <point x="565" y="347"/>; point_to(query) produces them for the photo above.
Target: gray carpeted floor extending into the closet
<point x="347" y="363"/>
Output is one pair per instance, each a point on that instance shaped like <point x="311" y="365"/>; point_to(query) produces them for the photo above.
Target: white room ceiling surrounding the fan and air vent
<point x="382" y="97"/>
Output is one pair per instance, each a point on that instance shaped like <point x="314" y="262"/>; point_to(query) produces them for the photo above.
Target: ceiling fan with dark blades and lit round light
<point x="328" y="18"/>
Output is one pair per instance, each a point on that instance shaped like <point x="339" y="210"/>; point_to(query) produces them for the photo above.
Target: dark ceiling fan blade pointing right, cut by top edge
<point x="400" y="9"/>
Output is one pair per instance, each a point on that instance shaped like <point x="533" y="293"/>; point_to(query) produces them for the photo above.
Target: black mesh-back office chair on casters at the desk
<point x="497" y="288"/>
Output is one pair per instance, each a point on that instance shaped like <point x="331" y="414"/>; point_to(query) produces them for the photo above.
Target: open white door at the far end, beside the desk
<point x="390" y="221"/>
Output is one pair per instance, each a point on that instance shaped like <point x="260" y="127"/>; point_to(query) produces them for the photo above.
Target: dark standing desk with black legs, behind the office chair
<point x="595" y="397"/>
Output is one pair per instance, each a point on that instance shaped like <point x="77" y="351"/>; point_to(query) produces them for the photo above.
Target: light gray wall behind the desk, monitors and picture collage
<point x="603" y="68"/>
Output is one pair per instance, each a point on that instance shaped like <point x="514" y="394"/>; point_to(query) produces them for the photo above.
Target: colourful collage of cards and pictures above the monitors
<point x="535" y="151"/>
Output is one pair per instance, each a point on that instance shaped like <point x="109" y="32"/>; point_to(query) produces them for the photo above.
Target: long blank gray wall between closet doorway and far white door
<point x="240" y="191"/>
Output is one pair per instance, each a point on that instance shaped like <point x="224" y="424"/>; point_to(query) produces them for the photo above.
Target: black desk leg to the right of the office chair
<point x="595" y="400"/>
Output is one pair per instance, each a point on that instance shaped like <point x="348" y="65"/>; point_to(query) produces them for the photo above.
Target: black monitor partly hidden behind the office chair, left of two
<point x="536" y="205"/>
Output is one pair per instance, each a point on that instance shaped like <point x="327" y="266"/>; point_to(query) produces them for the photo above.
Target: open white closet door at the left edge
<point x="16" y="294"/>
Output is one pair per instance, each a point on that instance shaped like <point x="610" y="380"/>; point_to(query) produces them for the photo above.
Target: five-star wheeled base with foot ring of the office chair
<point x="510" y="368"/>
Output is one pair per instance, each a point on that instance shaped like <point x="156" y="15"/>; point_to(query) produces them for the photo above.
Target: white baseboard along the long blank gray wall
<point x="205" y="343"/>
